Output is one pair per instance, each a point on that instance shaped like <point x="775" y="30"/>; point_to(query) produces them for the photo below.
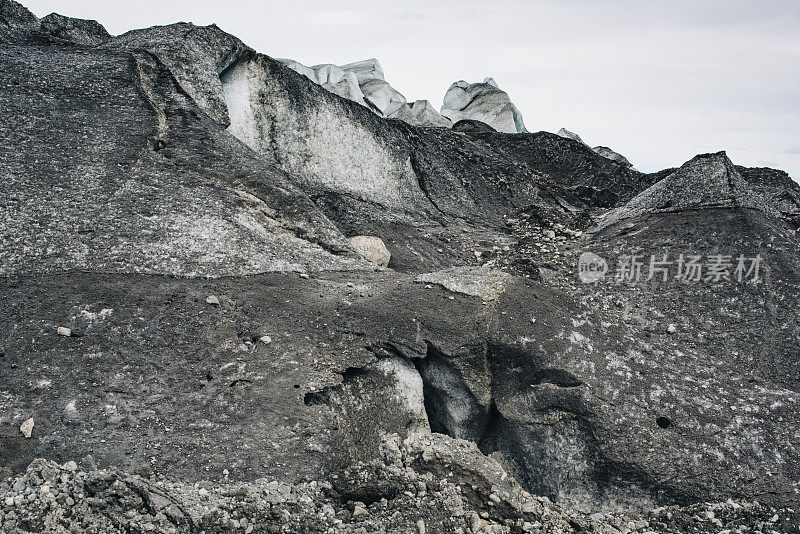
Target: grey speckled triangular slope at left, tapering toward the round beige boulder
<point x="116" y="162"/>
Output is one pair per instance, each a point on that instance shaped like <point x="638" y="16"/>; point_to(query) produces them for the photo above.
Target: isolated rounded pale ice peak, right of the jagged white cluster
<point x="483" y="102"/>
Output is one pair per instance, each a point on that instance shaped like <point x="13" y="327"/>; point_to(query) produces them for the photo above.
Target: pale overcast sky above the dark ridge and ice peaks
<point x="658" y="81"/>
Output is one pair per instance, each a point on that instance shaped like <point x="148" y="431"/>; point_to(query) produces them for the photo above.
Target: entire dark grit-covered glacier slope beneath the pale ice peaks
<point x="178" y="203"/>
